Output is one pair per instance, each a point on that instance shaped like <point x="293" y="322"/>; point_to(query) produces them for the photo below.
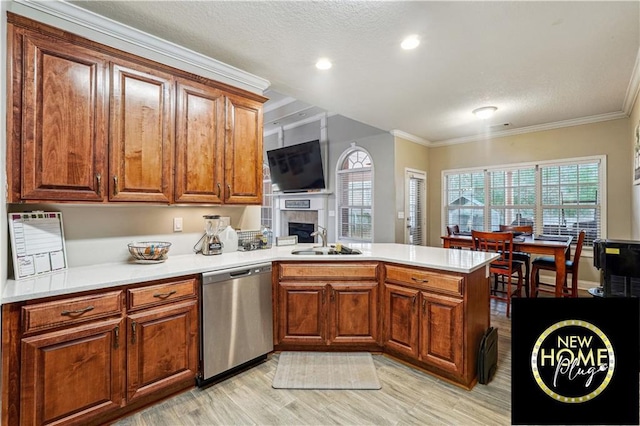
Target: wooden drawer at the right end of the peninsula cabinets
<point x="425" y="279"/>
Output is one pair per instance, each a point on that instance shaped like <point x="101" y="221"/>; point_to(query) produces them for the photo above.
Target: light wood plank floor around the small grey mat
<point x="408" y="397"/>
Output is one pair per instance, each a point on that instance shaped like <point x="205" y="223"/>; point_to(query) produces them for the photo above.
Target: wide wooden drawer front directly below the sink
<point x="342" y="271"/>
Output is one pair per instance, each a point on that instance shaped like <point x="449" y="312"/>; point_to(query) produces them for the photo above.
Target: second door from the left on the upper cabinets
<point x="141" y="152"/>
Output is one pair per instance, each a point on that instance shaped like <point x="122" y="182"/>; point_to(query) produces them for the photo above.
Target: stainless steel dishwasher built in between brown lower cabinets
<point x="236" y="320"/>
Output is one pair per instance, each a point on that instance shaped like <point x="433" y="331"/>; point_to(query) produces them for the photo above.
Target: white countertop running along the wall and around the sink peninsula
<point x="107" y="275"/>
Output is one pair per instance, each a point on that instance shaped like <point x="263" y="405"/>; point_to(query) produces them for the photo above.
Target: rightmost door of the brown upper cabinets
<point x="243" y="152"/>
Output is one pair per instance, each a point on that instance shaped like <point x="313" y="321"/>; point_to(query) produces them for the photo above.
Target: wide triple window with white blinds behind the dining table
<point x="556" y="197"/>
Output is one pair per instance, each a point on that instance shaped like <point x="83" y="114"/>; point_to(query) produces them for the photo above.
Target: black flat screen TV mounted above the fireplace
<point x="296" y="168"/>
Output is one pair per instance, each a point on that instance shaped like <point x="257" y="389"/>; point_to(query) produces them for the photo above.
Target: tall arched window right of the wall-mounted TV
<point x="354" y="182"/>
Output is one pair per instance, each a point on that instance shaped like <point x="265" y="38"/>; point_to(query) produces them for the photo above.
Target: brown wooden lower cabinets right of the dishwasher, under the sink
<point x="432" y="319"/>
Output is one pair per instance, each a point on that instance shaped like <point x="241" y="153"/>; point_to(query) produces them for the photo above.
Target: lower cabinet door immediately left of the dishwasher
<point x="162" y="348"/>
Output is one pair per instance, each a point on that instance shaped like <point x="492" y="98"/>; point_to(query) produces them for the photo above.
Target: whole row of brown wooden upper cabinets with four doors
<point x="89" y="123"/>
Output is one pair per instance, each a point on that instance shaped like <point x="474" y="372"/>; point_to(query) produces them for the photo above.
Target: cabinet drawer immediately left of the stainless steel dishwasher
<point x="153" y="295"/>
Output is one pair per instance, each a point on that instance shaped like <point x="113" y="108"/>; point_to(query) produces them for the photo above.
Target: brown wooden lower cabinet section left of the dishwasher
<point x="89" y="359"/>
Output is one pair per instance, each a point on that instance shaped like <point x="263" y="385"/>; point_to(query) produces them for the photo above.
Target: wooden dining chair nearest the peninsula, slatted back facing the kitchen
<point x="505" y="266"/>
